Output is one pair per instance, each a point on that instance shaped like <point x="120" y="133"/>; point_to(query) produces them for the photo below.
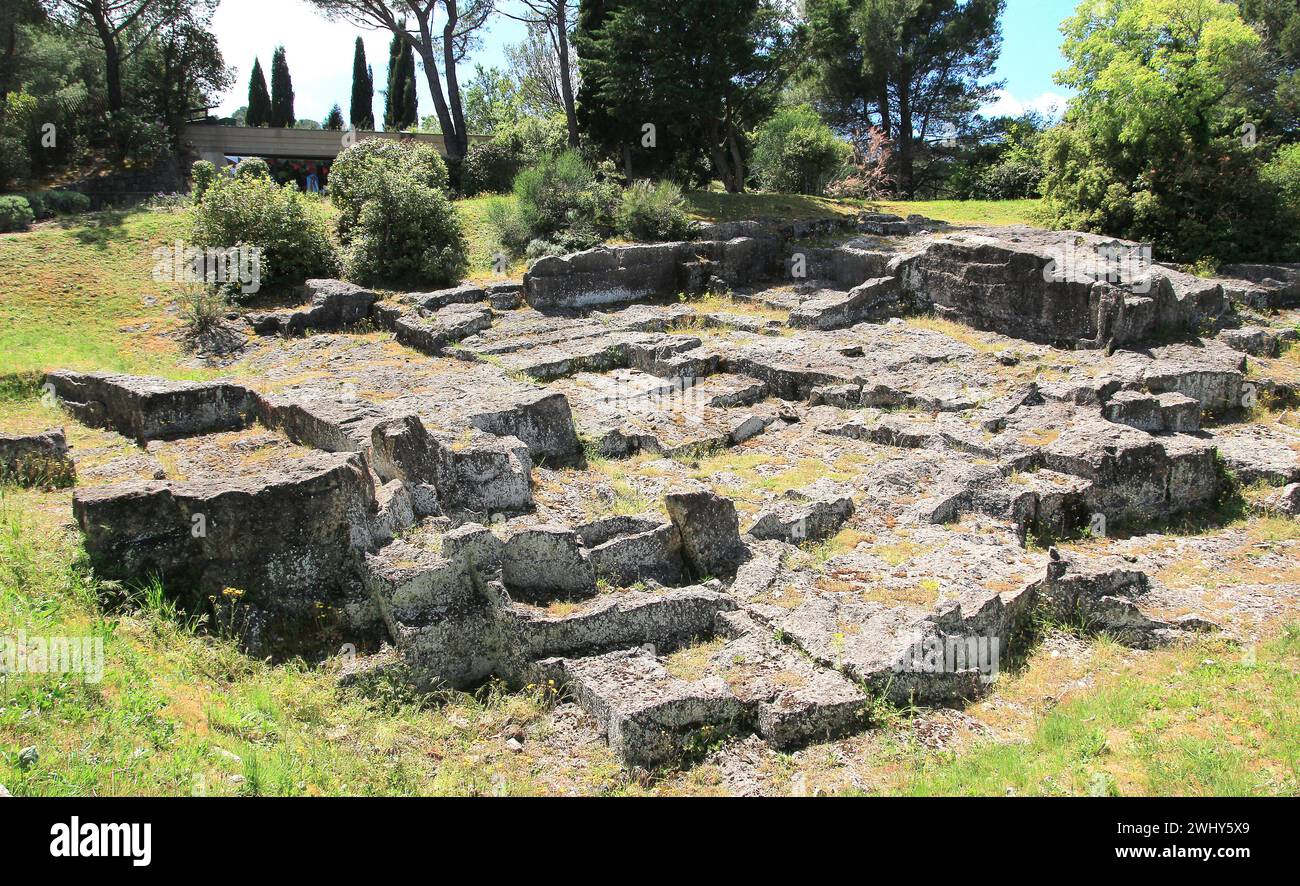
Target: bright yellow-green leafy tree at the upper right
<point x="1152" y="147"/>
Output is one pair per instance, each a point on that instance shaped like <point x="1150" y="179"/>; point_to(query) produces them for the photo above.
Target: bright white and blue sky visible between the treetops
<point x="320" y="54"/>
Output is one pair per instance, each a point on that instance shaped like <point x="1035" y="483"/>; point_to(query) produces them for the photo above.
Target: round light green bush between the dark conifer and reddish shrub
<point x="795" y="153"/>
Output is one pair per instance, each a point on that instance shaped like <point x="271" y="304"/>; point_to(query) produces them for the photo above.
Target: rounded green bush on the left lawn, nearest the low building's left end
<point x="254" y="211"/>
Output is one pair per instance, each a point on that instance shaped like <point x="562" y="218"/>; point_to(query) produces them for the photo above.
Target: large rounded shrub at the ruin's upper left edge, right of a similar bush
<point x="406" y="233"/>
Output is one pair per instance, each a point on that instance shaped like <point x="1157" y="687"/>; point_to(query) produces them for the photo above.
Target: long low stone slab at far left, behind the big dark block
<point x="153" y="409"/>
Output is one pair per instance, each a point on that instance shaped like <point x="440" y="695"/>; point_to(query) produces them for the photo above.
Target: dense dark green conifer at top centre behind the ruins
<point x="668" y="85"/>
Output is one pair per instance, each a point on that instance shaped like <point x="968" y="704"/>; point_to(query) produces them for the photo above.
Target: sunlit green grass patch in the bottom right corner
<point x="1208" y="719"/>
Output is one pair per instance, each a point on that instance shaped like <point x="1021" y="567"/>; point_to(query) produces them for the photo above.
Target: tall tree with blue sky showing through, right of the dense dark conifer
<point x="915" y="68"/>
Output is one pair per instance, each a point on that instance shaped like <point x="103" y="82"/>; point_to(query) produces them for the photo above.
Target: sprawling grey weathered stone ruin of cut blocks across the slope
<point x="541" y="481"/>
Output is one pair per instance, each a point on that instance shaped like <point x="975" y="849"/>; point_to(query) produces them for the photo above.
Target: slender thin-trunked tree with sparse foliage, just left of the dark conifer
<point x="547" y="57"/>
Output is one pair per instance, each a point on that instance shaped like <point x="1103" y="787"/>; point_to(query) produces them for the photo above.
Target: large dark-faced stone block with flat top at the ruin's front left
<point x="270" y="550"/>
